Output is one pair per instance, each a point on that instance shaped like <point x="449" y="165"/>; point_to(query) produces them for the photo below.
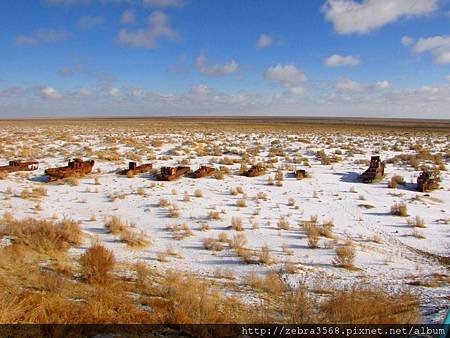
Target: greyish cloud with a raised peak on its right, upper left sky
<point x="158" y="27"/>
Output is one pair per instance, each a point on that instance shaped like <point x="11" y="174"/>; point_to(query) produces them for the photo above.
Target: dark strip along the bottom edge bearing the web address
<point x="221" y="330"/>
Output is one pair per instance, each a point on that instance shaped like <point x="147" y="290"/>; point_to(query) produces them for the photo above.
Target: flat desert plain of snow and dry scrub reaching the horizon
<point x="325" y="233"/>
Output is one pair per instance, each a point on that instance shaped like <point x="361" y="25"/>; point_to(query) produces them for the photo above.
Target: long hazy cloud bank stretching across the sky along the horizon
<point x="424" y="102"/>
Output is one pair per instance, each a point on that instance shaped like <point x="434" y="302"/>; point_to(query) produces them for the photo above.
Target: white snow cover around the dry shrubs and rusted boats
<point x="386" y="250"/>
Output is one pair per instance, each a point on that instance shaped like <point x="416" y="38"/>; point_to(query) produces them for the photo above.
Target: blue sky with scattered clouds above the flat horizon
<point x="349" y="58"/>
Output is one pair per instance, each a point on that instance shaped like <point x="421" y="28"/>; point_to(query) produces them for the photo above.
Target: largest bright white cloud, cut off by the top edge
<point x="350" y="16"/>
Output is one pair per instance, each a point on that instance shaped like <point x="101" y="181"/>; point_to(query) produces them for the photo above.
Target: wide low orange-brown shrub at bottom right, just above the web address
<point x="371" y="305"/>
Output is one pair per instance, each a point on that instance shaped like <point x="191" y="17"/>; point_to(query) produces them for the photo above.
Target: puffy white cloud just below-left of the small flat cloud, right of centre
<point x="288" y="76"/>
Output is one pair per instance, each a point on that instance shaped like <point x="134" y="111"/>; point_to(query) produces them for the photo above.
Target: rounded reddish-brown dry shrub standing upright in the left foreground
<point x="96" y="264"/>
